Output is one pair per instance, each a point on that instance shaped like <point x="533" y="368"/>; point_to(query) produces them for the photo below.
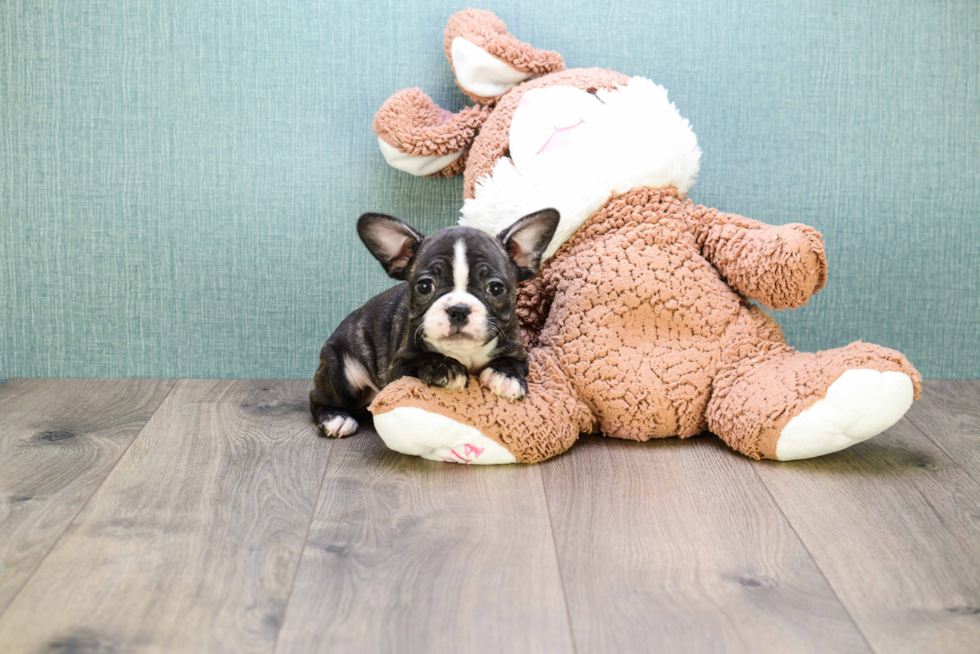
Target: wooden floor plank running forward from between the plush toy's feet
<point x="676" y="546"/>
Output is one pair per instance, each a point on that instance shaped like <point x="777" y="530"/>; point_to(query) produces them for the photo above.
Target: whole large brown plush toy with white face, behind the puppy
<point x="640" y="323"/>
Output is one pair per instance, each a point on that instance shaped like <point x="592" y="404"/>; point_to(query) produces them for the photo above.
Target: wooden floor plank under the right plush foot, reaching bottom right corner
<point x="894" y="525"/>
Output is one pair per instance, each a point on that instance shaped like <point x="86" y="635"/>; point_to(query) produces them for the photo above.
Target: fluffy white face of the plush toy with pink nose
<point x="571" y="150"/>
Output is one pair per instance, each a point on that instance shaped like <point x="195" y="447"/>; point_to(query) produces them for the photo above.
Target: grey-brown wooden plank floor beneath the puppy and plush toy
<point x="197" y="516"/>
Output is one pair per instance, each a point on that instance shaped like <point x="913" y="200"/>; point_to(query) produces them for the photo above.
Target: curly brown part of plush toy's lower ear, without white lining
<point x="411" y="122"/>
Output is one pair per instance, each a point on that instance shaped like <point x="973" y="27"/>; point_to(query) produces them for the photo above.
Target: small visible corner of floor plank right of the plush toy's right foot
<point x="949" y="413"/>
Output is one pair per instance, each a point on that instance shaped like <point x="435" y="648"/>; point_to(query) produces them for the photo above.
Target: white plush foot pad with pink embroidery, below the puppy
<point x="415" y="431"/>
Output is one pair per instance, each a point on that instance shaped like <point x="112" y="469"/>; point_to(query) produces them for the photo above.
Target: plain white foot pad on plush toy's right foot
<point x="860" y="404"/>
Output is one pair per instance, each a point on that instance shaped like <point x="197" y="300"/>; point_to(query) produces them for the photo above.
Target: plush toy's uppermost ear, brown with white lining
<point x="487" y="60"/>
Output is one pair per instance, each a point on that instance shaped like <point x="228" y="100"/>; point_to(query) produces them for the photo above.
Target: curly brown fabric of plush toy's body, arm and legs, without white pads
<point x="632" y="330"/>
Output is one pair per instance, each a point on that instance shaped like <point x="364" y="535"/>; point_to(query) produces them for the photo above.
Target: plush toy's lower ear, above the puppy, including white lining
<point x="418" y="137"/>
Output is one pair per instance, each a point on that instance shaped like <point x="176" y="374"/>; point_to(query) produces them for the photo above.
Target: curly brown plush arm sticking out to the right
<point x="779" y="266"/>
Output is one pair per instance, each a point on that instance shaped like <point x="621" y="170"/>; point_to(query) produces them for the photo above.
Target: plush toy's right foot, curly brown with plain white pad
<point x="798" y="405"/>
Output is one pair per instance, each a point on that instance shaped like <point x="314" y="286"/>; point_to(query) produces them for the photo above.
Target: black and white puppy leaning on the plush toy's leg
<point x="453" y="316"/>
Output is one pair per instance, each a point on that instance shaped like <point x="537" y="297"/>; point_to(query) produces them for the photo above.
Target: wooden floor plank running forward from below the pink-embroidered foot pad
<point x="407" y="555"/>
